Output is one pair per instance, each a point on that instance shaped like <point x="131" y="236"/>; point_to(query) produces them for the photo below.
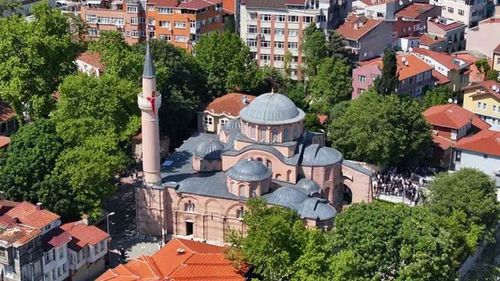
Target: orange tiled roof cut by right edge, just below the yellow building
<point x="486" y="141"/>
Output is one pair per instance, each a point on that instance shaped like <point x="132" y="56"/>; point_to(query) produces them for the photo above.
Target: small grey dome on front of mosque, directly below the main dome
<point x="249" y="170"/>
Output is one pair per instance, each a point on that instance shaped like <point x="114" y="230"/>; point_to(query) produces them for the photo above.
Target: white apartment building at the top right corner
<point x="470" y="12"/>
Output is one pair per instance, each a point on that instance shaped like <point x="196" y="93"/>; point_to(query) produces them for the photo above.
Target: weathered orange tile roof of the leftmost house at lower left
<point x="31" y="215"/>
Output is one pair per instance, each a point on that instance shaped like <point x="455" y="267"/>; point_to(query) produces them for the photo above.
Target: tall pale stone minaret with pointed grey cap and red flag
<point x="149" y="102"/>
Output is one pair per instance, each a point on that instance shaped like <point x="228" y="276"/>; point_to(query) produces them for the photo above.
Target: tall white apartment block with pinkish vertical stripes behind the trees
<point x="273" y="29"/>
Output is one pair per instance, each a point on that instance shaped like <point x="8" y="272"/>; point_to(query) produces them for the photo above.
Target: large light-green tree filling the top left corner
<point x="36" y="56"/>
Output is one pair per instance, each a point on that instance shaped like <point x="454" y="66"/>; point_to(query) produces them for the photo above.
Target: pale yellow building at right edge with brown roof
<point x="484" y="100"/>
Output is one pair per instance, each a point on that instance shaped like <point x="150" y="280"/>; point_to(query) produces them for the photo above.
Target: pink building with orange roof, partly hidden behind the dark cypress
<point x="414" y="75"/>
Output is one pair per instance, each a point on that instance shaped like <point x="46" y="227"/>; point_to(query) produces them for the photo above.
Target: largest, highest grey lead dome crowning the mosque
<point x="272" y="109"/>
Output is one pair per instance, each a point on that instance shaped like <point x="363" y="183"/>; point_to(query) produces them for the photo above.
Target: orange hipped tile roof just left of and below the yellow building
<point x="448" y="115"/>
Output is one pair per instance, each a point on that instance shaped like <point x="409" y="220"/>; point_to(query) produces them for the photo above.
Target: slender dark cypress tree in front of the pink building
<point x="387" y="82"/>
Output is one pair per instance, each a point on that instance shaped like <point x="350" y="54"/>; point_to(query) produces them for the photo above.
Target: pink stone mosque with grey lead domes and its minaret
<point x="201" y="191"/>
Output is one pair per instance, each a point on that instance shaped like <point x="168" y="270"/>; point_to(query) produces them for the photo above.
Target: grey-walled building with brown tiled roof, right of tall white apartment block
<point x="366" y="38"/>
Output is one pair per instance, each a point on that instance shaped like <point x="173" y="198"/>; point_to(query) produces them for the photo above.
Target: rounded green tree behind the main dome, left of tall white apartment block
<point x="227" y="63"/>
